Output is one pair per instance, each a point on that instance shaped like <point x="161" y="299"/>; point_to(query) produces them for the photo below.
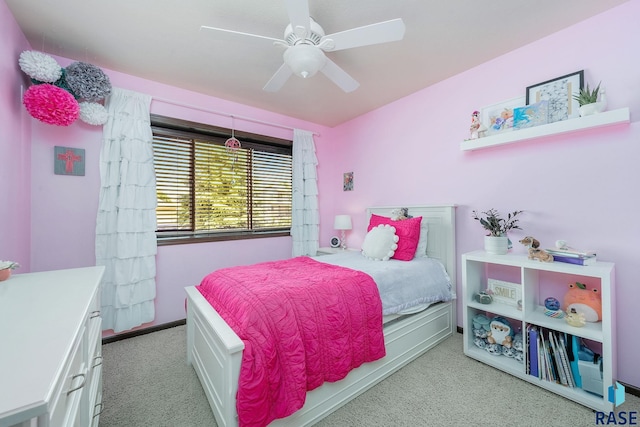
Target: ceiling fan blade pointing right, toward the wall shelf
<point x="382" y="32"/>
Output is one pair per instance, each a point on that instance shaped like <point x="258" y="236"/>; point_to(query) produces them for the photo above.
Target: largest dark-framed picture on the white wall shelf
<point x="559" y="92"/>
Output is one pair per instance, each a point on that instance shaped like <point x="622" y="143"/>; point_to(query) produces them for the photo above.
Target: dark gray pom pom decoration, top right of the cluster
<point x="87" y="81"/>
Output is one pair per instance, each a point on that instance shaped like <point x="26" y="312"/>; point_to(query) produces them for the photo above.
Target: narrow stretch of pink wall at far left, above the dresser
<point x="15" y="135"/>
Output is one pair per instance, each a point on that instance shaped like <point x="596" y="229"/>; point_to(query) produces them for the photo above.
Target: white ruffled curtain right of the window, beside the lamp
<point x="305" y="221"/>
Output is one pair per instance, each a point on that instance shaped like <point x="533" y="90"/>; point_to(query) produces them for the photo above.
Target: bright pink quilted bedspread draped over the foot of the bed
<point x="302" y="322"/>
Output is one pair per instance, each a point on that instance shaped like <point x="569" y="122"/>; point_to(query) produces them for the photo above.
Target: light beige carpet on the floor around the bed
<point x="148" y="383"/>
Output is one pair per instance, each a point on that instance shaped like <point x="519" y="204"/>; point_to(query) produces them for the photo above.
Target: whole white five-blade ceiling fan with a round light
<point x="305" y="43"/>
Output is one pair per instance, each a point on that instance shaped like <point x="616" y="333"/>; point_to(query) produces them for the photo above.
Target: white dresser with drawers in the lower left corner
<point x="50" y="348"/>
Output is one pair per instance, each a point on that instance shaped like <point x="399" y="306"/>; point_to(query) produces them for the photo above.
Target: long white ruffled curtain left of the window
<point x="126" y="223"/>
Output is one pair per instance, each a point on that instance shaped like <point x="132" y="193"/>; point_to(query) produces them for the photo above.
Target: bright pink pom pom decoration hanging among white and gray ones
<point x="51" y="104"/>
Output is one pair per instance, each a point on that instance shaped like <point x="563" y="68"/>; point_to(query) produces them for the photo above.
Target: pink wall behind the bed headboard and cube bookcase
<point x="581" y="187"/>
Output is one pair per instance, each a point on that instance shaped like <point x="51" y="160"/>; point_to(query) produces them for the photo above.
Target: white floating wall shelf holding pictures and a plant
<point x="607" y="118"/>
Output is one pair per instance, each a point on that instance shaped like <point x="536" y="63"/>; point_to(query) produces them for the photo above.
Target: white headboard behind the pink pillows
<point x="441" y="220"/>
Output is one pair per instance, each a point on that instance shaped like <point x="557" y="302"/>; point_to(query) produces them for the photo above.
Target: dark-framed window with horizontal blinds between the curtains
<point x="207" y="192"/>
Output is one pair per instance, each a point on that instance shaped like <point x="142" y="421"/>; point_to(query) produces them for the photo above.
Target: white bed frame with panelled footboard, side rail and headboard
<point x="215" y="351"/>
